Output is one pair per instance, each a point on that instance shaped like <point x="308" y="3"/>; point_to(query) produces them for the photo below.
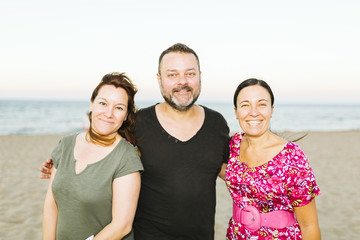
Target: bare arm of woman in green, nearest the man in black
<point x="126" y="191"/>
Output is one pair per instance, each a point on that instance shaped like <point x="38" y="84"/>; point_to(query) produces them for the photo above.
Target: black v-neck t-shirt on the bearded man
<point x="177" y="197"/>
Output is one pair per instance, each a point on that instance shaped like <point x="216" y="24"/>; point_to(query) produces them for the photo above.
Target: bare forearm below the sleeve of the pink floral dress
<point x="308" y="221"/>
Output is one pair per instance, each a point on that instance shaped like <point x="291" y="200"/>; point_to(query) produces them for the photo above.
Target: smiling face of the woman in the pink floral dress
<point x="254" y="110"/>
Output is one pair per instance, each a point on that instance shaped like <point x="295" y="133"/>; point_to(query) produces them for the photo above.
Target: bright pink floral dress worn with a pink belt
<point x="285" y="182"/>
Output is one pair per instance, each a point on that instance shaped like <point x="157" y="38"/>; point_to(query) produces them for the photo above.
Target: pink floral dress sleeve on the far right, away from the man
<point x="301" y="184"/>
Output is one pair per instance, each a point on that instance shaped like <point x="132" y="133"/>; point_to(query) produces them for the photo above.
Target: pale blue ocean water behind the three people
<point x="33" y="117"/>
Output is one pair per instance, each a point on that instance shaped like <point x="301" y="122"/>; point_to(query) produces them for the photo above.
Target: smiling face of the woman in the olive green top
<point x="109" y="110"/>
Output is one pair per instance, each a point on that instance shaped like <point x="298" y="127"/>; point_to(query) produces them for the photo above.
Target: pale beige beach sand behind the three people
<point x="334" y="157"/>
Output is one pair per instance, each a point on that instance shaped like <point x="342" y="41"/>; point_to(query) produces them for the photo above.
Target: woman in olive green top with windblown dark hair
<point x="94" y="187"/>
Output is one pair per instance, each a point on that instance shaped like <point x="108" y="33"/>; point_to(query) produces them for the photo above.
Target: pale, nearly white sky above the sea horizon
<point x="308" y="51"/>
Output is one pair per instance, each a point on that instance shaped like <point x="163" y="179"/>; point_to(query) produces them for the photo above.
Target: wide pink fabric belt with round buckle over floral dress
<point x="252" y="219"/>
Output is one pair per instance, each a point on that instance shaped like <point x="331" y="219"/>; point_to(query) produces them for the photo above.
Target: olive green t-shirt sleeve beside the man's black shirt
<point x="130" y="162"/>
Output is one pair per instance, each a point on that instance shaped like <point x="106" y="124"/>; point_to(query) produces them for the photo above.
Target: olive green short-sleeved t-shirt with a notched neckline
<point x="84" y="200"/>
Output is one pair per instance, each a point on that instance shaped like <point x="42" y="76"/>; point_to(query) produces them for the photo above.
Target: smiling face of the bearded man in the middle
<point x="179" y="80"/>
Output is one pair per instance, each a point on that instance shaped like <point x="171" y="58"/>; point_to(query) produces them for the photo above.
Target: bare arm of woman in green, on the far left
<point x="50" y="212"/>
